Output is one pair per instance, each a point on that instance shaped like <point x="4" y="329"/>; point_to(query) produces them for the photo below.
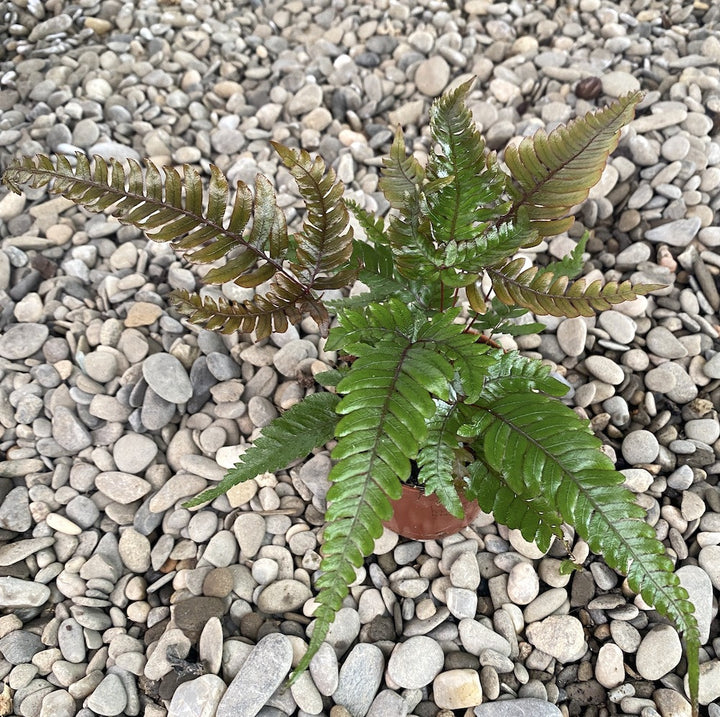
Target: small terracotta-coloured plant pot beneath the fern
<point x="422" y="517"/>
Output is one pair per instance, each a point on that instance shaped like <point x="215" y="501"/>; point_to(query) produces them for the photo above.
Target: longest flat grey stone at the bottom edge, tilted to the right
<point x="259" y="676"/>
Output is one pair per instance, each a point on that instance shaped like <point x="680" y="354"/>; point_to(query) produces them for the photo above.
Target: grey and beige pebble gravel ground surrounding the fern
<point x="115" y="599"/>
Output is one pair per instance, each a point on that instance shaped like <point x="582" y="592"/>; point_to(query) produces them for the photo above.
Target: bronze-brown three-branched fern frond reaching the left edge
<point x="172" y="208"/>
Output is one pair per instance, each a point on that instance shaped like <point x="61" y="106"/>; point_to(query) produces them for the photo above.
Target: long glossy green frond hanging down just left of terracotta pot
<point x="387" y="400"/>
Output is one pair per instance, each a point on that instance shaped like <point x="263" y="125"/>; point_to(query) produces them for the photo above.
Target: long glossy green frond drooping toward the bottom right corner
<point x="542" y="448"/>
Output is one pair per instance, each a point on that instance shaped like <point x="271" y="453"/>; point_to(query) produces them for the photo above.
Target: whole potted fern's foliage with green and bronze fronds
<point x="423" y="398"/>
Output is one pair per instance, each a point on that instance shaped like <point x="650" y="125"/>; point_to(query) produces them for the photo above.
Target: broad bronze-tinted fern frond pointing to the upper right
<point x="553" y="172"/>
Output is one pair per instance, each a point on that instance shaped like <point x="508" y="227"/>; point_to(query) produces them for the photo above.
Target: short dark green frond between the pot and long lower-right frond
<point x="533" y="516"/>
